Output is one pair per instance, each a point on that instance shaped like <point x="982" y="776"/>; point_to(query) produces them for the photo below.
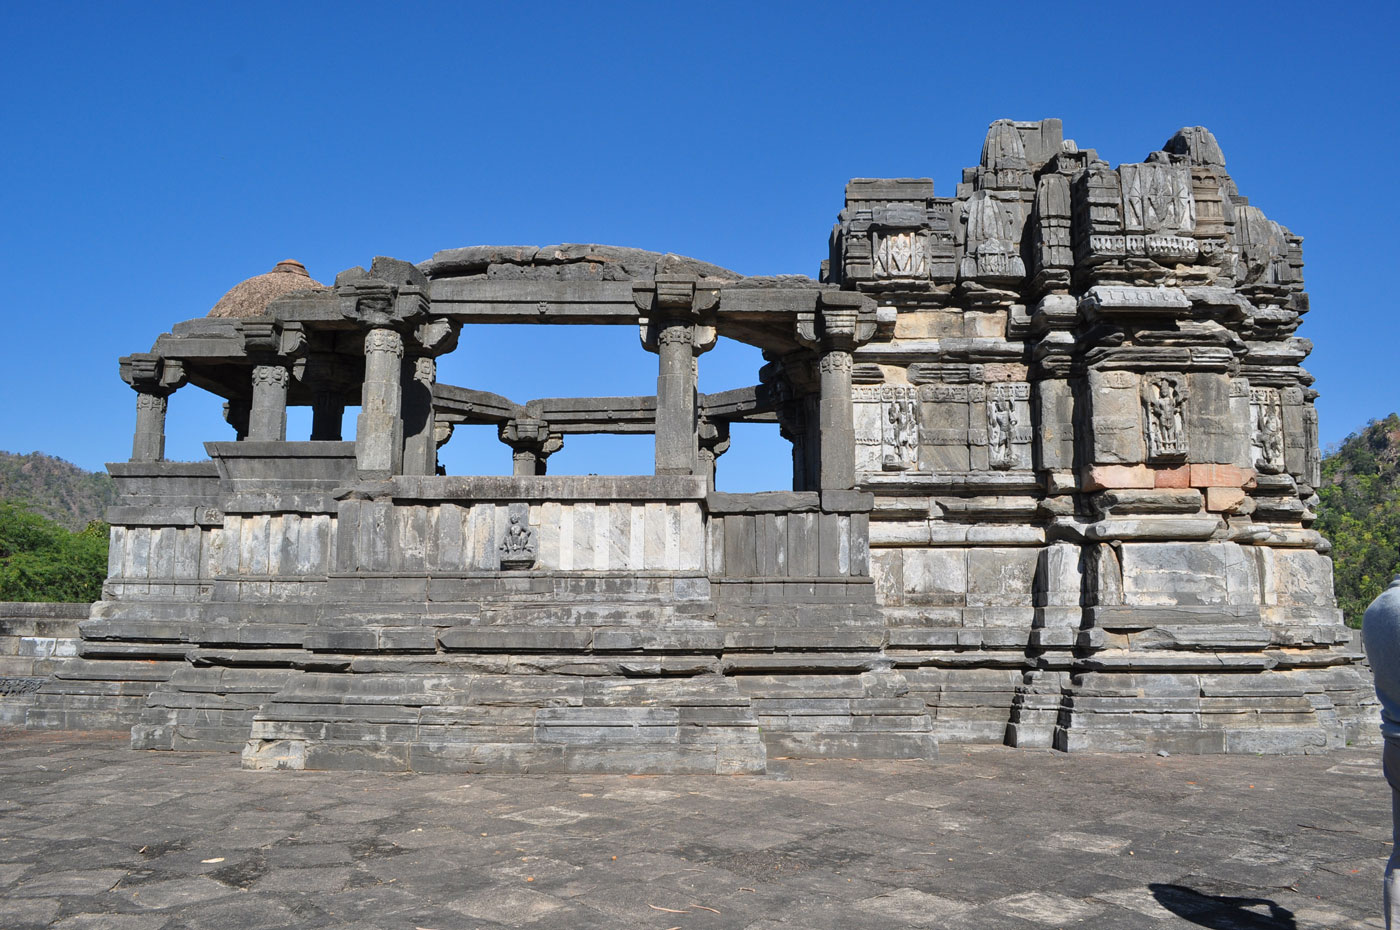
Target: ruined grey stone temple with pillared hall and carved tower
<point x="1053" y="470"/>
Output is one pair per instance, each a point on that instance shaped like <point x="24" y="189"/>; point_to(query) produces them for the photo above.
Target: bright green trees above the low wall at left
<point x="41" y="561"/>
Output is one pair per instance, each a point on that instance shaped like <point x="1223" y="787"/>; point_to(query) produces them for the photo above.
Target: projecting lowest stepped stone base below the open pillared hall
<point x="458" y="722"/>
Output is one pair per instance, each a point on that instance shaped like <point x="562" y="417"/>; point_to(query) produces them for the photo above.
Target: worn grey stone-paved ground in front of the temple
<point x="94" y="835"/>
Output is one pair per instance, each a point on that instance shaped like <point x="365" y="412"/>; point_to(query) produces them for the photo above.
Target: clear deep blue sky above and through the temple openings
<point x="157" y="155"/>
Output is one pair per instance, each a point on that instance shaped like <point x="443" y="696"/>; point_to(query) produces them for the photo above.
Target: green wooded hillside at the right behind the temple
<point x="1360" y="512"/>
